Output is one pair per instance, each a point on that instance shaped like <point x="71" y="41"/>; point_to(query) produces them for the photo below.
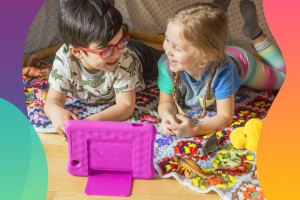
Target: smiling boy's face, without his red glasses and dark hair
<point x="94" y="63"/>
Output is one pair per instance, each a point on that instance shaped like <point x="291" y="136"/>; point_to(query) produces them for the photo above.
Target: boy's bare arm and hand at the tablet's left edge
<point x="54" y="109"/>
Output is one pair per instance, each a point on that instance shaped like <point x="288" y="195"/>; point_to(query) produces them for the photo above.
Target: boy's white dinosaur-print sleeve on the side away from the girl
<point x="58" y="78"/>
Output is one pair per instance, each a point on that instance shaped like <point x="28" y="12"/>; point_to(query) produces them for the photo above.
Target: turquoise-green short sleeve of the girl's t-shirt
<point x="164" y="81"/>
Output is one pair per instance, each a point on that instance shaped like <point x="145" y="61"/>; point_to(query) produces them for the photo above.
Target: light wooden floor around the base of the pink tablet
<point x="63" y="186"/>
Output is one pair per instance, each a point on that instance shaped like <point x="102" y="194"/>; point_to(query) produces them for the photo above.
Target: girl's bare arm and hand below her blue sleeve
<point x="224" y="116"/>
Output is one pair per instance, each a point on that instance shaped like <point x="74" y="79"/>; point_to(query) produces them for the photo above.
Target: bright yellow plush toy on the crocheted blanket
<point x="247" y="137"/>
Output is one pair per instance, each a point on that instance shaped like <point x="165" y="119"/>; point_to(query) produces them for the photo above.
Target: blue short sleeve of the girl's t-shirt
<point x="227" y="81"/>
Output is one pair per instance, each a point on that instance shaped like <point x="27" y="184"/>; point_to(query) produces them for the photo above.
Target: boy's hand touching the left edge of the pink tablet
<point x="61" y="119"/>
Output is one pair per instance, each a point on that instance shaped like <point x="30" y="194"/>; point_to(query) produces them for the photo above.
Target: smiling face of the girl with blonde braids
<point x="182" y="56"/>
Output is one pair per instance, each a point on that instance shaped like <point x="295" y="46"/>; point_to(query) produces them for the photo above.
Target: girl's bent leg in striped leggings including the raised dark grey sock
<point x="266" y="72"/>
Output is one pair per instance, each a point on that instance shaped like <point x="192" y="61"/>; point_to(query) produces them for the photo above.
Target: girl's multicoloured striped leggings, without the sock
<point x="264" y="71"/>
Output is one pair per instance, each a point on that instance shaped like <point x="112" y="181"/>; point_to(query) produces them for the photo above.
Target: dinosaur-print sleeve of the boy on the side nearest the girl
<point x="129" y="75"/>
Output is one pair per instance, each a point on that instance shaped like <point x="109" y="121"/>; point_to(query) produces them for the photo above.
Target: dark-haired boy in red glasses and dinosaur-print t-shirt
<point x="95" y="63"/>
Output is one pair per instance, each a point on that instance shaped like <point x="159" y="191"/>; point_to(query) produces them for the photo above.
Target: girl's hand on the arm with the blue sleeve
<point x="185" y="128"/>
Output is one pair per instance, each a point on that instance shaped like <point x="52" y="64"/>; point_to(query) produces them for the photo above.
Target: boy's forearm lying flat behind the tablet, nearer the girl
<point x="122" y="110"/>
